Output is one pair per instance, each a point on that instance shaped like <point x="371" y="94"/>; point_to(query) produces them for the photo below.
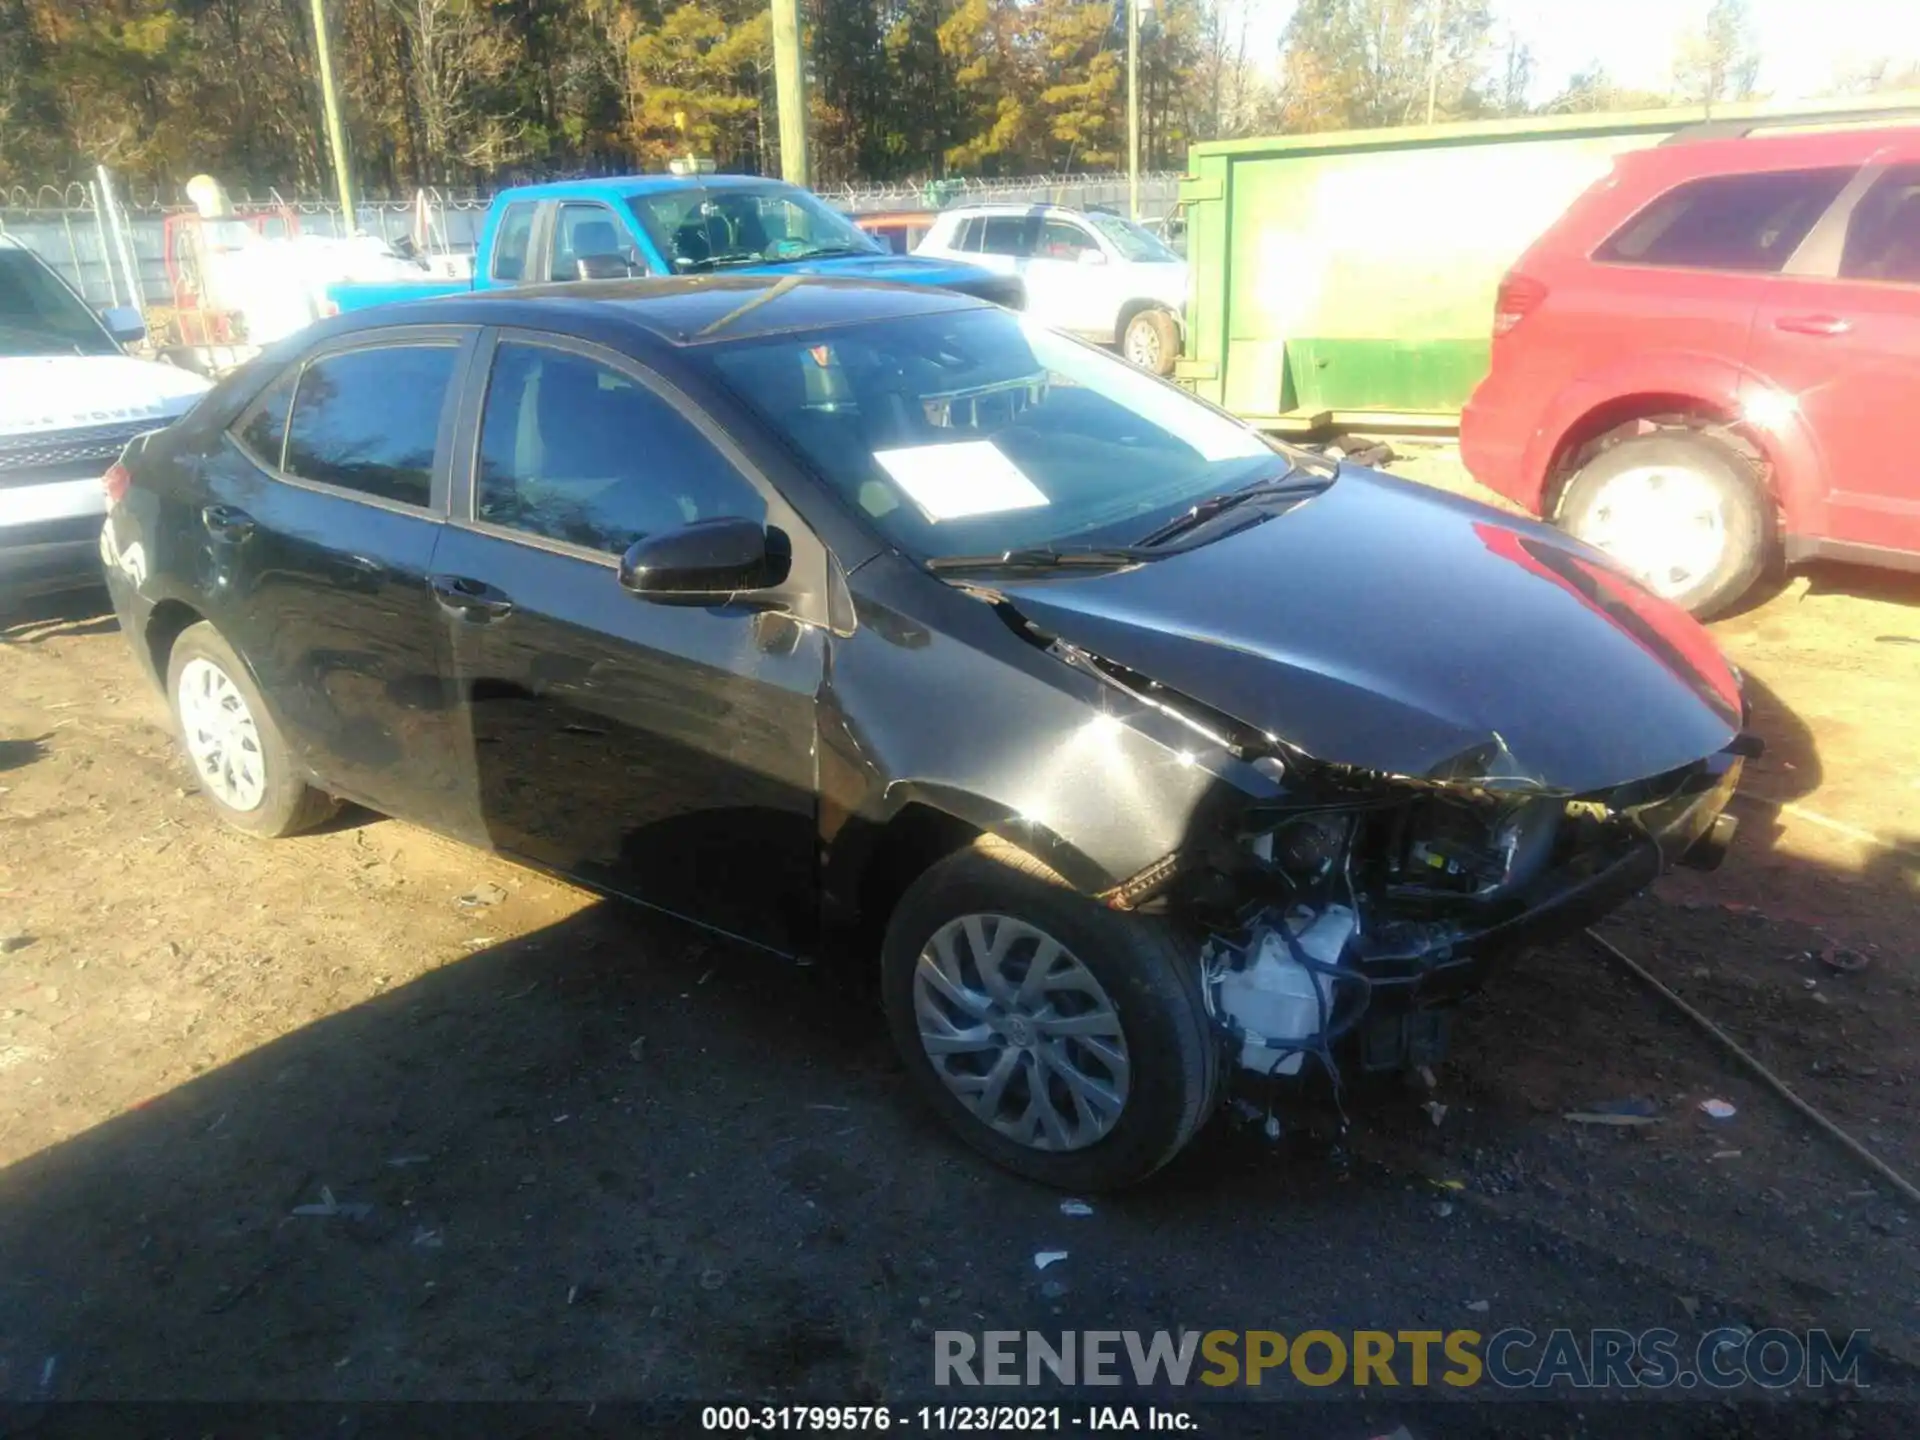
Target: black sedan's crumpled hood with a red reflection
<point x="1399" y="629"/>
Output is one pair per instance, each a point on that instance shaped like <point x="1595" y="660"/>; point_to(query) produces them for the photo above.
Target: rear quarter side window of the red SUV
<point x="1748" y="224"/>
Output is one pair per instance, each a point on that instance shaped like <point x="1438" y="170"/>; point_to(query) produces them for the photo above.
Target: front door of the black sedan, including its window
<point x="663" y="754"/>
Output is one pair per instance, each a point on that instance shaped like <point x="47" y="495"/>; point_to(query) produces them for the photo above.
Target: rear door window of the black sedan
<point x="370" y="421"/>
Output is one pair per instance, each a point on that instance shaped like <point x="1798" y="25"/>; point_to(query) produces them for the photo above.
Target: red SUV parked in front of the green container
<point x="1714" y="358"/>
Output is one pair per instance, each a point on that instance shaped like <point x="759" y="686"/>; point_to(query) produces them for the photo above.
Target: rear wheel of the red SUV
<point x="1681" y="510"/>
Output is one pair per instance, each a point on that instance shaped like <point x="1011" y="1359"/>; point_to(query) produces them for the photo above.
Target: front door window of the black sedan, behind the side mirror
<point x="579" y="452"/>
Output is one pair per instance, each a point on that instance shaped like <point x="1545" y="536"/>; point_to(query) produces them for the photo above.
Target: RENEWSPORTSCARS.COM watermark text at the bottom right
<point x="1458" y="1360"/>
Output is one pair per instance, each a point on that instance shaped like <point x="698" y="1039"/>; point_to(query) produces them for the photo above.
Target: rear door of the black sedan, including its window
<point x="318" y="533"/>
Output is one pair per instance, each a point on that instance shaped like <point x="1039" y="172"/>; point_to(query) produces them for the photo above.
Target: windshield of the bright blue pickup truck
<point x="713" y="226"/>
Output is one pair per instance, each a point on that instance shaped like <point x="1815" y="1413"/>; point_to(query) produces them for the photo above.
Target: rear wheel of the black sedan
<point x="239" y="756"/>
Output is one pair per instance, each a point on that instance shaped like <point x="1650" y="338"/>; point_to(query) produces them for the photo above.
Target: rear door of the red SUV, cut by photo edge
<point x="1842" y="341"/>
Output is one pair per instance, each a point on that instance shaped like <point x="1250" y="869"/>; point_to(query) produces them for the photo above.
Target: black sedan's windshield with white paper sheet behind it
<point x="978" y="433"/>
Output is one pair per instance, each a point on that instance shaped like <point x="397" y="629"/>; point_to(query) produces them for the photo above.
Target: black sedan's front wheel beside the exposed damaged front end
<point x="1061" y="1040"/>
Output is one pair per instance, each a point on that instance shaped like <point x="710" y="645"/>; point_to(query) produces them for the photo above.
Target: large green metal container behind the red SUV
<point x="1349" y="279"/>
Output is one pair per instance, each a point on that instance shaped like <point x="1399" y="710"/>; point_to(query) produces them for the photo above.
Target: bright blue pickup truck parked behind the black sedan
<point x="675" y="226"/>
